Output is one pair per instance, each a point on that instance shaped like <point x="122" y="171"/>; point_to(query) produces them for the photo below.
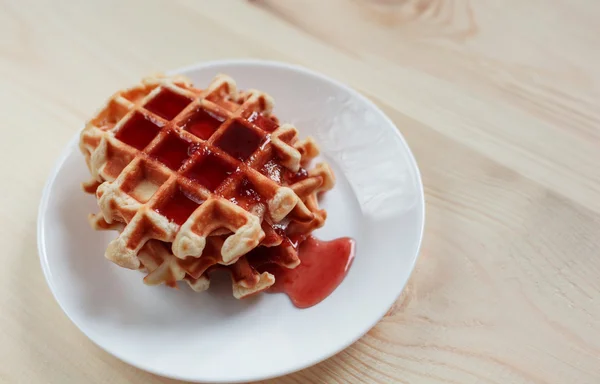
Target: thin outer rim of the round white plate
<point x="72" y="144"/>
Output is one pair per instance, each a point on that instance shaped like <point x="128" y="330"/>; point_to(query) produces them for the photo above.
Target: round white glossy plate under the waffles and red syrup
<point x="212" y="337"/>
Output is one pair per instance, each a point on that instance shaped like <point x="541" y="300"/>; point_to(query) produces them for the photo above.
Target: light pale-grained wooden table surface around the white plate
<point x="499" y="100"/>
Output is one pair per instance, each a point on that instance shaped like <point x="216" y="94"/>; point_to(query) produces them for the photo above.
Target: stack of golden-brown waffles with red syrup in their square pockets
<point x="193" y="180"/>
